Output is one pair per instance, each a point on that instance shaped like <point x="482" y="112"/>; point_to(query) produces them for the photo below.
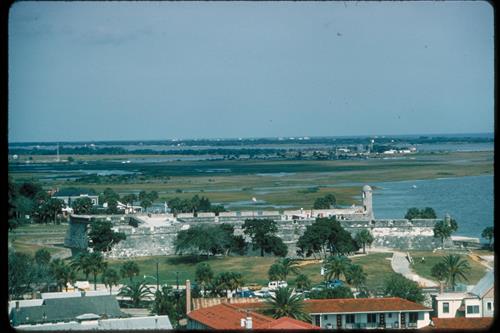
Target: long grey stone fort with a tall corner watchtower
<point x="154" y="234"/>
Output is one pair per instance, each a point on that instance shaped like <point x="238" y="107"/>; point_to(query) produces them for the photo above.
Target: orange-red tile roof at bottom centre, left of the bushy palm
<point x="227" y="316"/>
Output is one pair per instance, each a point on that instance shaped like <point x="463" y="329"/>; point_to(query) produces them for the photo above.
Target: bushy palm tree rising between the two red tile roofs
<point x="285" y="304"/>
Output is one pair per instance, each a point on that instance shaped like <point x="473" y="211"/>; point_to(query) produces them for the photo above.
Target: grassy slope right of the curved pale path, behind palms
<point x="430" y="259"/>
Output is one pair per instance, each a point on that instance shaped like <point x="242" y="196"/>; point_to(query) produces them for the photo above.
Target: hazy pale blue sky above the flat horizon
<point x="160" y="70"/>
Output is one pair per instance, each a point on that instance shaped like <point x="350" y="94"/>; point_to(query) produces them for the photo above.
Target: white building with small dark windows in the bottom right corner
<point x="479" y="302"/>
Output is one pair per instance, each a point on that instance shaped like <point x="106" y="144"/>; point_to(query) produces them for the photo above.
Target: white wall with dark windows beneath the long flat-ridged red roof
<point x="392" y="320"/>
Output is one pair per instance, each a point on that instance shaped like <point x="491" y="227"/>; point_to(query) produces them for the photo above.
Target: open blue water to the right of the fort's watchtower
<point x="469" y="200"/>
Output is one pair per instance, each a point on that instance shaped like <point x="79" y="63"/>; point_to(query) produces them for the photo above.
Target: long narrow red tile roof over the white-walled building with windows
<point x="350" y="305"/>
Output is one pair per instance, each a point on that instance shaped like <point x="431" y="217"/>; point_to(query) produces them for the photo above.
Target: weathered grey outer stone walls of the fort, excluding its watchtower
<point x="159" y="240"/>
